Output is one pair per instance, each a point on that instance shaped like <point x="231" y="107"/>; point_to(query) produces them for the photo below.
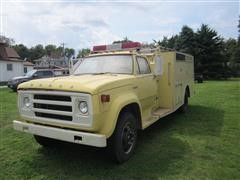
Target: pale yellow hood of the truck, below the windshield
<point x="91" y="84"/>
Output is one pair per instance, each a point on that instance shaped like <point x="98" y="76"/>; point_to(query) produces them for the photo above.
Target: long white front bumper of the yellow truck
<point x="78" y="137"/>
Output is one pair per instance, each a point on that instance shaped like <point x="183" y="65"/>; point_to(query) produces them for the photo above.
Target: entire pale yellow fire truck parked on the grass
<point x="114" y="92"/>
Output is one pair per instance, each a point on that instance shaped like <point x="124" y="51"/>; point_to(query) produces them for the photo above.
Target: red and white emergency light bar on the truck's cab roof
<point x="117" y="47"/>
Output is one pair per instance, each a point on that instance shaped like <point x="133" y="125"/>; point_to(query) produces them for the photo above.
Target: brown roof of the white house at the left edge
<point x="8" y="53"/>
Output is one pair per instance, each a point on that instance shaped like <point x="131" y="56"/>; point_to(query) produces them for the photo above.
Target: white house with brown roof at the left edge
<point x="11" y="65"/>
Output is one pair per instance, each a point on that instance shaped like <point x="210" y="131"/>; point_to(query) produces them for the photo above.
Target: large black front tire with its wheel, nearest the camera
<point x="124" y="139"/>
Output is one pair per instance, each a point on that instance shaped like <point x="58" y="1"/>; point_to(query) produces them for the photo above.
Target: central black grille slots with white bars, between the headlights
<point x="57" y="107"/>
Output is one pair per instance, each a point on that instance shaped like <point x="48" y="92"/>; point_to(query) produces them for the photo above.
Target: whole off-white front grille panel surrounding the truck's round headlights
<point x="56" y="108"/>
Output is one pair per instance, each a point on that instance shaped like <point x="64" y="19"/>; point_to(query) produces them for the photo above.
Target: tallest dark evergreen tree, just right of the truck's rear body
<point x="209" y="55"/>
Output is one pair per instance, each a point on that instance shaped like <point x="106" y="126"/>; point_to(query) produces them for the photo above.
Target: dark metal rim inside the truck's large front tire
<point x="128" y="138"/>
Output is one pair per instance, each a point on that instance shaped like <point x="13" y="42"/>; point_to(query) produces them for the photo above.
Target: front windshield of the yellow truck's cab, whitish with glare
<point x="116" y="64"/>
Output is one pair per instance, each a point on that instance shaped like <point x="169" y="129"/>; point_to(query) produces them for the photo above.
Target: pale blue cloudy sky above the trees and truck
<point x="81" y="24"/>
